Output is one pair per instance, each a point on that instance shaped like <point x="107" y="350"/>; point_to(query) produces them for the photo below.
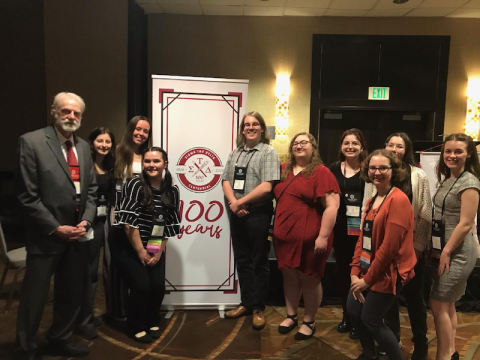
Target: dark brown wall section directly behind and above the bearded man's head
<point x="86" y="53"/>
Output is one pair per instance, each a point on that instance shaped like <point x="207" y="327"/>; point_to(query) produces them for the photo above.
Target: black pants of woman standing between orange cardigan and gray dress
<point x="417" y="311"/>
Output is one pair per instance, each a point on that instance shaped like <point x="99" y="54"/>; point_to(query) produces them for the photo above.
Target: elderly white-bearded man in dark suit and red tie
<point x="56" y="188"/>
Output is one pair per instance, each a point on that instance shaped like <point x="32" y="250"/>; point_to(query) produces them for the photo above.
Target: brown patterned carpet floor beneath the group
<point x="204" y="335"/>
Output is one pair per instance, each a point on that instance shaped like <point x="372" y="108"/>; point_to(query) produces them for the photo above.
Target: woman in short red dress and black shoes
<point x="307" y="204"/>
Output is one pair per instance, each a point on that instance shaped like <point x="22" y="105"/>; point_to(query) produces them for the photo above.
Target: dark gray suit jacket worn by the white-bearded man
<point x="46" y="190"/>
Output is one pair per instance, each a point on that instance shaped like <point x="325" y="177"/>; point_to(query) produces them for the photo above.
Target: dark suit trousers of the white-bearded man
<point x="69" y="268"/>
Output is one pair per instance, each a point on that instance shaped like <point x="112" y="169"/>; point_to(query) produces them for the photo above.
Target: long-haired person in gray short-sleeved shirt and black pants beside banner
<point x="249" y="175"/>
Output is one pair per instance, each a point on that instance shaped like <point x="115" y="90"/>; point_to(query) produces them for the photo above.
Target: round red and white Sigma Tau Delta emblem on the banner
<point x="199" y="169"/>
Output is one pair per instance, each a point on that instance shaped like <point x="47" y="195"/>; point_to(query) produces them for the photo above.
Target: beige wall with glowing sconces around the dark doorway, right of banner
<point x="257" y="48"/>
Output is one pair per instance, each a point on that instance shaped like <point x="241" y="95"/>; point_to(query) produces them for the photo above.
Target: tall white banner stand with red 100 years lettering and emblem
<point x="196" y="120"/>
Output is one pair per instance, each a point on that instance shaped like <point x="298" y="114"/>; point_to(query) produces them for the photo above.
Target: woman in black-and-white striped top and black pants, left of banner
<point x="147" y="217"/>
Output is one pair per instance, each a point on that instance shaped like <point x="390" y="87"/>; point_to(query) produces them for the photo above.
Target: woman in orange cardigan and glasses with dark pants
<point x="384" y="256"/>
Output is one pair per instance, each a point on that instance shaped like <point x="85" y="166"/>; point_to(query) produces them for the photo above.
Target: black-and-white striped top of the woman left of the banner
<point x="132" y="213"/>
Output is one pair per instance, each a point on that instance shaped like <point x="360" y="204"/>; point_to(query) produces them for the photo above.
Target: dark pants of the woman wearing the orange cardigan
<point x="368" y="319"/>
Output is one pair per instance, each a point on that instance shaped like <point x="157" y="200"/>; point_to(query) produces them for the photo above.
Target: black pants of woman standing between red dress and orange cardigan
<point x="344" y="247"/>
